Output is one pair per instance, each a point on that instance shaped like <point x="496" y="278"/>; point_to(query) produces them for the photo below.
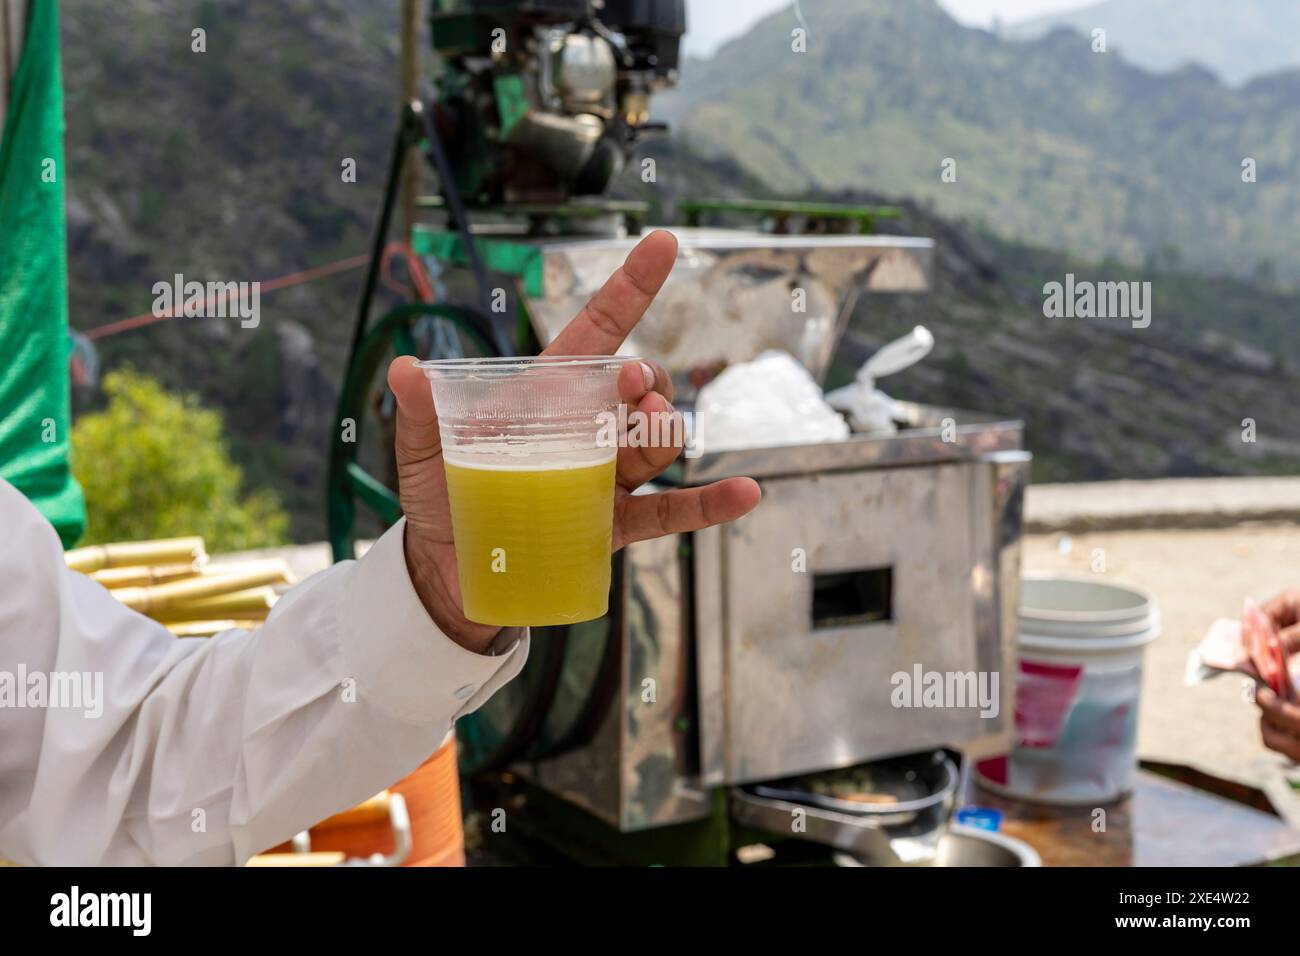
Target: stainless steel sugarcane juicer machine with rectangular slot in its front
<point x="768" y="650"/>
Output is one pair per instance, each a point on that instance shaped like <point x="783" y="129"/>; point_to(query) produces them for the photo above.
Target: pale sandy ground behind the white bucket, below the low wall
<point x="1197" y="576"/>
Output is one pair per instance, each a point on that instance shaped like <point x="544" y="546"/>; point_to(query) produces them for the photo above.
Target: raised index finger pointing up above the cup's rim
<point x="613" y="313"/>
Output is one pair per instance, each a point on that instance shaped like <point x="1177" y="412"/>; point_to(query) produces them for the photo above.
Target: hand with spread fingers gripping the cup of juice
<point x="599" y="330"/>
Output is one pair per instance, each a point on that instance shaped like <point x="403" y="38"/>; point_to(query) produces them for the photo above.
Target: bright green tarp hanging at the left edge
<point x="34" y="341"/>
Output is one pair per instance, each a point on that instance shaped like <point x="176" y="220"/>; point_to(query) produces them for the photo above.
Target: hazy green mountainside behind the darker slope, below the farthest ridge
<point x="1055" y="145"/>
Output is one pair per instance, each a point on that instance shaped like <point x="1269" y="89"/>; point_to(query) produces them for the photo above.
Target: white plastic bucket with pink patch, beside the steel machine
<point x="1078" y="687"/>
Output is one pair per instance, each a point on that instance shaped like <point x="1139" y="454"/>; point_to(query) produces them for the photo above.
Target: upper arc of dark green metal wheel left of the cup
<point x="349" y="482"/>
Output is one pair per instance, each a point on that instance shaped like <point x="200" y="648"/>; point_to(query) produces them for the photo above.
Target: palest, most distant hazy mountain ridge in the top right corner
<point x="1238" y="41"/>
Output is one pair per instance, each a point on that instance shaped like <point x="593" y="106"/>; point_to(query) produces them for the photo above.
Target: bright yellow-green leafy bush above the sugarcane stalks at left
<point x="157" y="465"/>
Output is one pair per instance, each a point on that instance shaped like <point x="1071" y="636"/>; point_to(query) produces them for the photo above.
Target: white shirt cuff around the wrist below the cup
<point x="400" y="659"/>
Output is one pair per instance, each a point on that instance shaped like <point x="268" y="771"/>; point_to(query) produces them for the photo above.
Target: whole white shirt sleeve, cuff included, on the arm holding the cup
<point x="211" y="750"/>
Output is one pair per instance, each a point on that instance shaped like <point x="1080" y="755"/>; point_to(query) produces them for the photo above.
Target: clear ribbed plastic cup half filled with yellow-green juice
<point x="530" y="457"/>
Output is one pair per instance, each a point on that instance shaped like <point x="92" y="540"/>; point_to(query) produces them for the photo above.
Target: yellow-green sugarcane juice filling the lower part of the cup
<point x="534" y="543"/>
